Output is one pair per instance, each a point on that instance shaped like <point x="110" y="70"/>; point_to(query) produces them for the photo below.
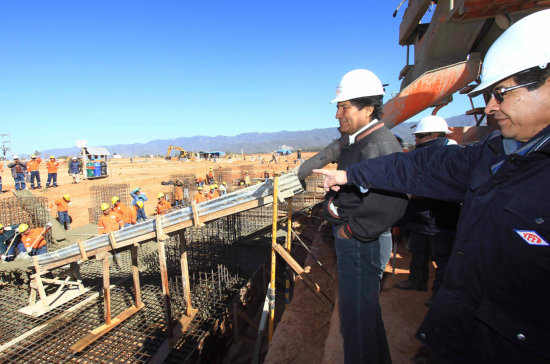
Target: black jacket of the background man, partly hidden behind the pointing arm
<point x="430" y="216"/>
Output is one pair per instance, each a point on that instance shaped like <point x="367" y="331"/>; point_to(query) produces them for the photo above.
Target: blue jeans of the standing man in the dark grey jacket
<point x="360" y="268"/>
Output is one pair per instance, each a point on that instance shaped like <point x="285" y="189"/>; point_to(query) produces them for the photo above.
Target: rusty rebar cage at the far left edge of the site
<point x="32" y="211"/>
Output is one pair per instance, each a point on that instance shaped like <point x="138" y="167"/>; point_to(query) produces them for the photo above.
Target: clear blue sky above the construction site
<point x="117" y="72"/>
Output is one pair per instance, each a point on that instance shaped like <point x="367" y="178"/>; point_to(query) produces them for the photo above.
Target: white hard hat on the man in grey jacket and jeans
<point x="358" y="83"/>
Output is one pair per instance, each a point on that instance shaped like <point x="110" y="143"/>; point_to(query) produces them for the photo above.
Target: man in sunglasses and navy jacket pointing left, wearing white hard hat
<point x="493" y="304"/>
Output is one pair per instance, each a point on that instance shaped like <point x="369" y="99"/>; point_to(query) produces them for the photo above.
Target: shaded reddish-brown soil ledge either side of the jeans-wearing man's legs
<point x="309" y="332"/>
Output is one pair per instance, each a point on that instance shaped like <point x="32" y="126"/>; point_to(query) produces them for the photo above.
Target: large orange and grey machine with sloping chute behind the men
<point x="447" y="55"/>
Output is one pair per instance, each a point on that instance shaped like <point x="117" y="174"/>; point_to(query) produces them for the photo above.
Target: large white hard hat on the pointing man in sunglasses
<point x="522" y="46"/>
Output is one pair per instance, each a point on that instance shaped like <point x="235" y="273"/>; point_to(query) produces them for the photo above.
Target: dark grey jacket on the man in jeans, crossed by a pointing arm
<point x="365" y="215"/>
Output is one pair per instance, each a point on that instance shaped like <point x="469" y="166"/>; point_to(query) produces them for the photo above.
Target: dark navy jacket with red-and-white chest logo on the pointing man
<point x="494" y="305"/>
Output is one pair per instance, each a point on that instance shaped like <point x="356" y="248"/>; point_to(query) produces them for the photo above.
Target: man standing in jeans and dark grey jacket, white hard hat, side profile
<point x="362" y="219"/>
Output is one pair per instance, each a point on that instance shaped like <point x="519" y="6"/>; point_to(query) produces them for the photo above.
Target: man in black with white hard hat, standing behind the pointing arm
<point x="431" y="222"/>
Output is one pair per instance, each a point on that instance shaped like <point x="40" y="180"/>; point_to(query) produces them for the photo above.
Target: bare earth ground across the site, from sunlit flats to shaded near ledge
<point x="308" y="330"/>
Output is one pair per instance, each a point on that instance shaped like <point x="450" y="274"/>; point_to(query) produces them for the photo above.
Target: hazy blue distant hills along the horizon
<point x="249" y="142"/>
